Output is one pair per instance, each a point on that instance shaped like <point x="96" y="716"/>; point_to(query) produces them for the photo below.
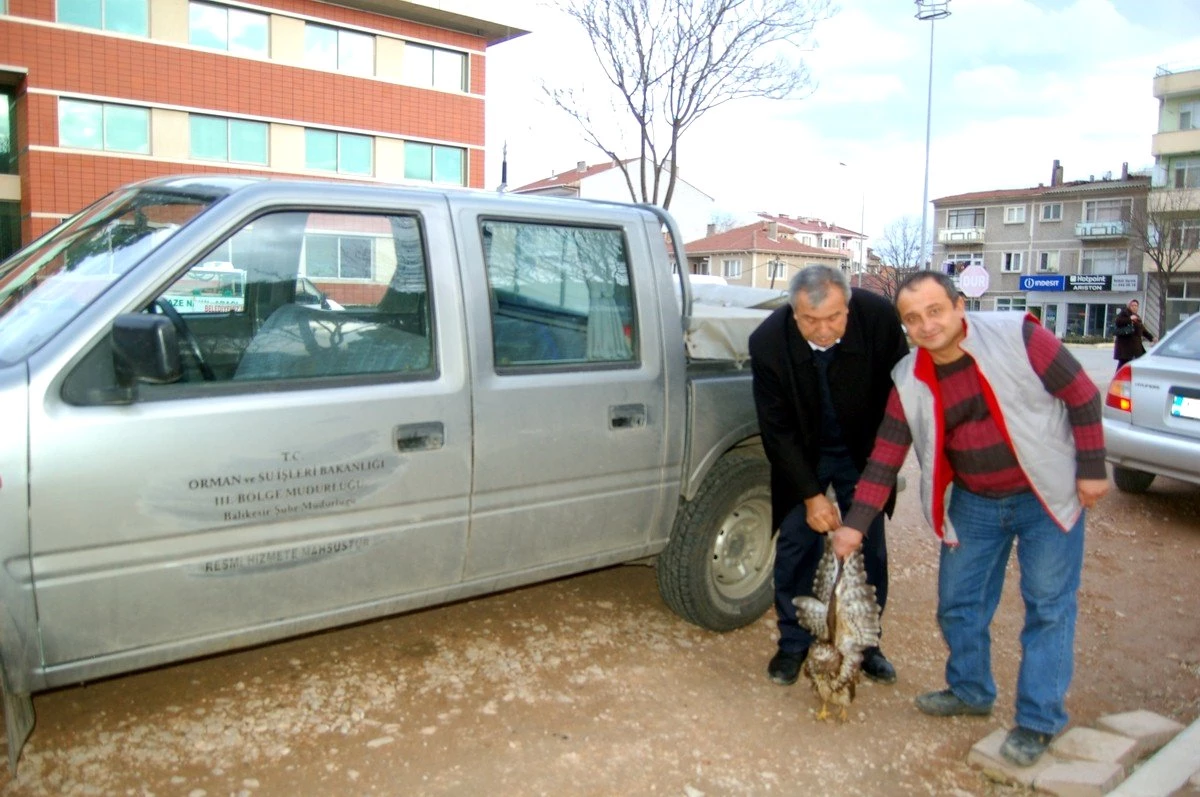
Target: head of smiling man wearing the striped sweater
<point x="933" y="311"/>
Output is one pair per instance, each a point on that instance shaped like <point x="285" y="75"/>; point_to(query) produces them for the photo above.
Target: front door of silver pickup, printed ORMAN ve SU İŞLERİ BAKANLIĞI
<point x="326" y="480"/>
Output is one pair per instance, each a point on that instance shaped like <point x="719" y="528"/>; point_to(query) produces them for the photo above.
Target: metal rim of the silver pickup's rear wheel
<point x="743" y="550"/>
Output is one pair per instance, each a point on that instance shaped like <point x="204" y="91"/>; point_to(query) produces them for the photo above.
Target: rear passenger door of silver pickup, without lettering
<point x="571" y="393"/>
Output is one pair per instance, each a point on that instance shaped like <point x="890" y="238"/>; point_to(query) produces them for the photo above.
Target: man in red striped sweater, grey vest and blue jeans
<point x="1006" y="427"/>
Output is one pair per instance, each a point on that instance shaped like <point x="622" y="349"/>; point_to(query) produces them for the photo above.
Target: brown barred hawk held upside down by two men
<point x="843" y="616"/>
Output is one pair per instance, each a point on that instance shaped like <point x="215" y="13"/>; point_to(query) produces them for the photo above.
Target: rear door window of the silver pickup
<point x="561" y="296"/>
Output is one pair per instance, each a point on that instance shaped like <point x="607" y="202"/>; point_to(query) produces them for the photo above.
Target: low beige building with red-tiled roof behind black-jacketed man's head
<point x="767" y="253"/>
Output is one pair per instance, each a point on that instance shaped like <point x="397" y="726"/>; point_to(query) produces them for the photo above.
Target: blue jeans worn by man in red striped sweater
<point x="969" y="586"/>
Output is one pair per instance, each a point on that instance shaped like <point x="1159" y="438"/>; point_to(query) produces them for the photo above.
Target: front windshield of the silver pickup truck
<point x="51" y="281"/>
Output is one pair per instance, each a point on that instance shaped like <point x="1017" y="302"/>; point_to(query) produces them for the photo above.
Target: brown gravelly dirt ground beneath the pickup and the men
<point x="590" y="686"/>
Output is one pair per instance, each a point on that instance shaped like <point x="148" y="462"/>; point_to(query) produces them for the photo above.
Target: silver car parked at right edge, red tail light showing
<point x="1153" y="414"/>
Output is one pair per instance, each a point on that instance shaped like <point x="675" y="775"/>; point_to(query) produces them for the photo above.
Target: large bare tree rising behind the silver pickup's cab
<point x="671" y="62"/>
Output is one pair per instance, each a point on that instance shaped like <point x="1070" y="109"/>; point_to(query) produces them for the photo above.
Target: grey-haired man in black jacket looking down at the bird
<point x="823" y="374"/>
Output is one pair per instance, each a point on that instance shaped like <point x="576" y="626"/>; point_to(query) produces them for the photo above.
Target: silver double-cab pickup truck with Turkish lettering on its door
<point x="237" y="410"/>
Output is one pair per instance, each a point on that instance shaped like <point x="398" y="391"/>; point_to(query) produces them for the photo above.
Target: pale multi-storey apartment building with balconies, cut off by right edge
<point x="1175" y="193"/>
